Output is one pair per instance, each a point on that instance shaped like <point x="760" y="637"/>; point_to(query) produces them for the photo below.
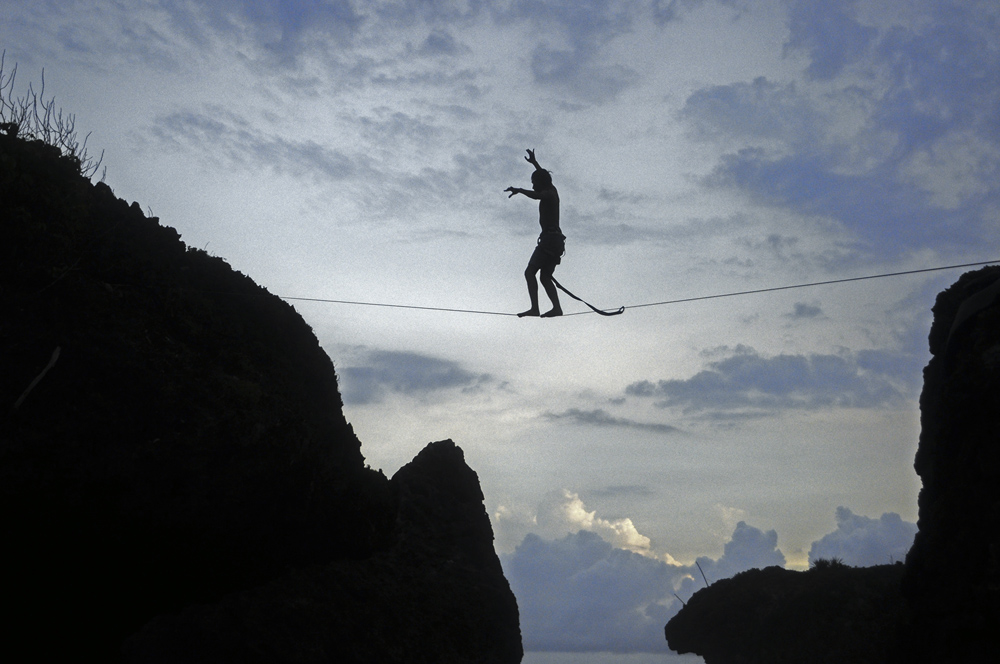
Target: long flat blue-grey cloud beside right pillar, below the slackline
<point x="746" y="381"/>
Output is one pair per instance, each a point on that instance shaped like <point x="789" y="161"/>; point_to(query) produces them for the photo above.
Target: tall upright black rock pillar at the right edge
<point x="952" y="581"/>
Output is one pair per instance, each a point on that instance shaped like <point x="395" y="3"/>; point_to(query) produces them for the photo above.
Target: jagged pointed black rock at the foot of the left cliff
<point x="438" y="595"/>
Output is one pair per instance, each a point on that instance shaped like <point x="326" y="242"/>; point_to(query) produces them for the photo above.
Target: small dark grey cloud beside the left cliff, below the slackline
<point x="410" y="374"/>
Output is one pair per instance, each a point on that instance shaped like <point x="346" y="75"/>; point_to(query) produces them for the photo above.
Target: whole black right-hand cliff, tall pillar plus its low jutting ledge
<point x="944" y="606"/>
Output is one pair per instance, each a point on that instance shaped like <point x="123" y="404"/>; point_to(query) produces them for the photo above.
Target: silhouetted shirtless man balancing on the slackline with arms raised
<point x="551" y="243"/>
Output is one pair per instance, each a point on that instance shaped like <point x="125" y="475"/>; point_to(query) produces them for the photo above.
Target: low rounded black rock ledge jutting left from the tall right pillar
<point x="835" y="614"/>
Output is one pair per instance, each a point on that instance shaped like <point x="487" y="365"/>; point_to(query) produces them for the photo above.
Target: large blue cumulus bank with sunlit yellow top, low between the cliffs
<point x="581" y="592"/>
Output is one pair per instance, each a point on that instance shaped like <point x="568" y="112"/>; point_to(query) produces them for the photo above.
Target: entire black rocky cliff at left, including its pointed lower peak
<point x="176" y="468"/>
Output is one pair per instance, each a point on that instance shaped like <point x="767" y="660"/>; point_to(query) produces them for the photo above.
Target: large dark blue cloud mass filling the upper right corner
<point x="892" y="136"/>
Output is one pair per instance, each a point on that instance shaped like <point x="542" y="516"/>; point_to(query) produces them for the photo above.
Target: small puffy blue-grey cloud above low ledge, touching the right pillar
<point x="861" y="541"/>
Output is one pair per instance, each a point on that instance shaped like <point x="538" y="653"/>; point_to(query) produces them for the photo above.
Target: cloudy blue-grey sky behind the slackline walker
<point x="359" y="151"/>
